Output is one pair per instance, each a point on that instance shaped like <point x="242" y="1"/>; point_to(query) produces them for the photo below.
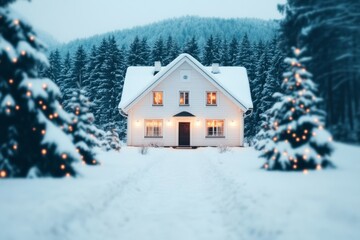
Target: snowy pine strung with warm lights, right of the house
<point x="295" y="137"/>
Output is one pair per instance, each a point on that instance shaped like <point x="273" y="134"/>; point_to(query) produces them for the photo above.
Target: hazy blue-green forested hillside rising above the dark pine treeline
<point x="184" y="28"/>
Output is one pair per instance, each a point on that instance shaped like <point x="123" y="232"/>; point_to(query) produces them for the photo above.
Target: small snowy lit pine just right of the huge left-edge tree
<point x="83" y="126"/>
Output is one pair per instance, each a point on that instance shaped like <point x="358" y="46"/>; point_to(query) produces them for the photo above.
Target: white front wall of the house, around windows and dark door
<point x="197" y="85"/>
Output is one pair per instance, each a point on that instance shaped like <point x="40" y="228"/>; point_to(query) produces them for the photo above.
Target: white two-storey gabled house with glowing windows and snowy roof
<point x="186" y="104"/>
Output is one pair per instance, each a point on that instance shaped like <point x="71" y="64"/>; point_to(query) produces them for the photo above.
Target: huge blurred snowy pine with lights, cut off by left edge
<point x="32" y="142"/>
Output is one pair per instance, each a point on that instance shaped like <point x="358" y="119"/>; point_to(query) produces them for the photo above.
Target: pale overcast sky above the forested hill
<point x="70" y="19"/>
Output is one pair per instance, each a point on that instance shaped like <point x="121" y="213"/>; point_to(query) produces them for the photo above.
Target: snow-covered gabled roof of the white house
<point x="232" y="81"/>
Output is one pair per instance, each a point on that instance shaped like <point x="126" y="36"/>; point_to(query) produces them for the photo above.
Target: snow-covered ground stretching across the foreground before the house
<point x="186" y="194"/>
